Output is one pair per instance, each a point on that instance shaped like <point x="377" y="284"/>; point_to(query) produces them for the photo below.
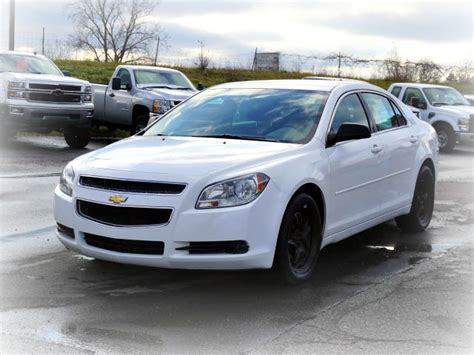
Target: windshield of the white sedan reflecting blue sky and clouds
<point x="289" y="116"/>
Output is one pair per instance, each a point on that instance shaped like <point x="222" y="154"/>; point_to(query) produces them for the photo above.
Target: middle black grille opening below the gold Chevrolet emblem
<point x="123" y="216"/>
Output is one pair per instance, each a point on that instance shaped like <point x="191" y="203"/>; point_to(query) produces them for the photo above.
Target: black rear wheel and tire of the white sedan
<point x="422" y="205"/>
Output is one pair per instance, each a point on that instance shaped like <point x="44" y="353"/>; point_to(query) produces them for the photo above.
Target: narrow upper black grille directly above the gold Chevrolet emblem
<point x="132" y="186"/>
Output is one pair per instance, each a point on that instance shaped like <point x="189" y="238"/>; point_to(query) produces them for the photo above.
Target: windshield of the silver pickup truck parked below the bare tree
<point x="162" y="79"/>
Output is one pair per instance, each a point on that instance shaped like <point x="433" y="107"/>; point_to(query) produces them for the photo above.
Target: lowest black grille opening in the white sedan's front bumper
<point x="125" y="245"/>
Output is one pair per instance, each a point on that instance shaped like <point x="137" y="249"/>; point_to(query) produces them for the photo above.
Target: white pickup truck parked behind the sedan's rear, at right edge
<point x="441" y="106"/>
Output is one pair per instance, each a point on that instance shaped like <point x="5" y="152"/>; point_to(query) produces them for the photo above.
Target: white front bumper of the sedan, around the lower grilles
<point x="256" y="223"/>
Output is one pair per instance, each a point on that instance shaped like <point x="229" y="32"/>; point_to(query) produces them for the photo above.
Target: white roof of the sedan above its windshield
<point x="297" y="84"/>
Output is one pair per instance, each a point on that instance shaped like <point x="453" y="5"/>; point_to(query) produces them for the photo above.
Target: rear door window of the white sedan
<point x="381" y="111"/>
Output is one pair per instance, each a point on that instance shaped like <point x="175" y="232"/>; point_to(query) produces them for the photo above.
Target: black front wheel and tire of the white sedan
<point x="299" y="240"/>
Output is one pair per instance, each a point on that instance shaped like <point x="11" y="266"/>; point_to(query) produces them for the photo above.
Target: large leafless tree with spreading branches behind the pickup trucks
<point x="113" y="30"/>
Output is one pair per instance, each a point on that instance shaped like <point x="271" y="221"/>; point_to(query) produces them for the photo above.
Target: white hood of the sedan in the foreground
<point x="179" y="158"/>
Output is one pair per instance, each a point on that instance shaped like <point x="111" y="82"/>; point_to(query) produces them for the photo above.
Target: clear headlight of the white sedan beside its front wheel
<point x="233" y="192"/>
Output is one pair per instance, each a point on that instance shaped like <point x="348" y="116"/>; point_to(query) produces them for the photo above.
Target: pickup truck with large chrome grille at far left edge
<point x="36" y="96"/>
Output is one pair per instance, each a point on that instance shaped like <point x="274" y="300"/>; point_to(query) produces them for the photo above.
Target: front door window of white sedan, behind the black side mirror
<point x="349" y="110"/>
